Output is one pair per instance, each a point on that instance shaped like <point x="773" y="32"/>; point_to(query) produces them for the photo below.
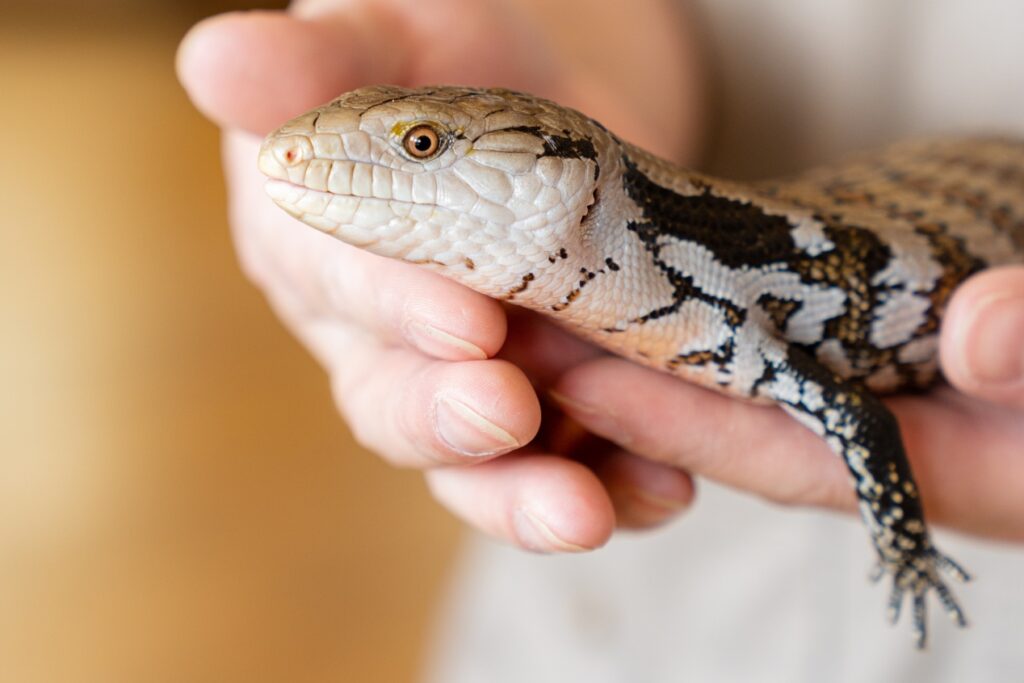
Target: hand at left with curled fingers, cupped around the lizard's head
<point x="411" y="355"/>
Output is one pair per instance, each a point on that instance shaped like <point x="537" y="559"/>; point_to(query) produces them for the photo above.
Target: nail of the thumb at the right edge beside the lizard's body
<point x="994" y="349"/>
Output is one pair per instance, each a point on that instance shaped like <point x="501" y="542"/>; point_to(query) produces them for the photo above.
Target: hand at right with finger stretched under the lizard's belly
<point x="965" y="442"/>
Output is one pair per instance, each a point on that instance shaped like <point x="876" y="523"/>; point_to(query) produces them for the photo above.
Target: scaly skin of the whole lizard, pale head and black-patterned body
<point x="814" y="293"/>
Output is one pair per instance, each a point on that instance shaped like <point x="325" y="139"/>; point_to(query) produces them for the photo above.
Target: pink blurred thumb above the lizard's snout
<point x="255" y="70"/>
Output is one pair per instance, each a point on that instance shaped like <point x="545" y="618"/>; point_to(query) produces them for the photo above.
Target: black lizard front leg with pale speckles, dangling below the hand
<point x="859" y="426"/>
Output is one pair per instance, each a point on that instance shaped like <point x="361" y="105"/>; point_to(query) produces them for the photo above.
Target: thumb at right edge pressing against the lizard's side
<point x="983" y="345"/>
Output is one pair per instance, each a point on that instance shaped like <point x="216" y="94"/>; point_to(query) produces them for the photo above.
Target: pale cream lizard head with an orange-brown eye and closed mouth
<point x="488" y="186"/>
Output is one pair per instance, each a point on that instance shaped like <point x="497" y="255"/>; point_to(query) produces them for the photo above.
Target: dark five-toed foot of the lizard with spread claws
<point x="918" y="575"/>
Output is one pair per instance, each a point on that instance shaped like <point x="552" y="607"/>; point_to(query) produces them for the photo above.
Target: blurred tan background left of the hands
<point x="179" y="501"/>
